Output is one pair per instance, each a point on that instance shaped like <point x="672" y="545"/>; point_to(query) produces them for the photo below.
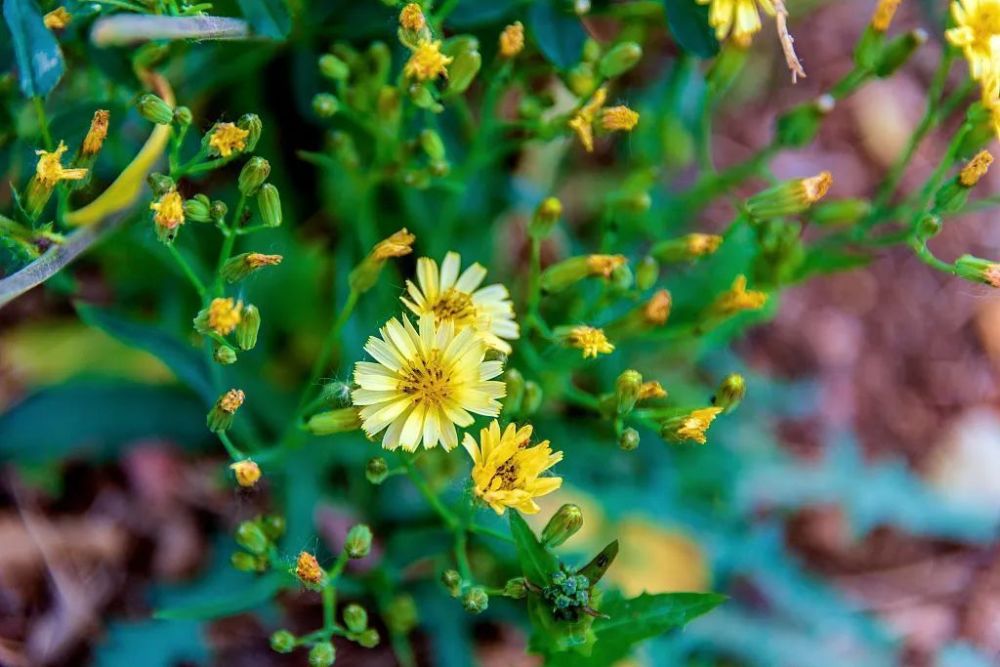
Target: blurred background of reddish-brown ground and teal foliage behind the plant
<point x="849" y="508"/>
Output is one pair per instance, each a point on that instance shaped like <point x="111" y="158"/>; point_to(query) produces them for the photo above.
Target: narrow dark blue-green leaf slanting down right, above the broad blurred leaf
<point x="184" y="360"/>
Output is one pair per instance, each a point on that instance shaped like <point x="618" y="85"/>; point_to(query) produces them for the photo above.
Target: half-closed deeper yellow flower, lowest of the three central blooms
<point x="506" y="472"/>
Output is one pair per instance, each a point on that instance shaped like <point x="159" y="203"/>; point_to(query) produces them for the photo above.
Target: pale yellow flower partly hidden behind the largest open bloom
<point x="459" y="299"/>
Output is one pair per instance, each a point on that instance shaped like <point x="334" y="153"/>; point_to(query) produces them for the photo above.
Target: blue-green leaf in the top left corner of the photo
<point x="39" y="60"/>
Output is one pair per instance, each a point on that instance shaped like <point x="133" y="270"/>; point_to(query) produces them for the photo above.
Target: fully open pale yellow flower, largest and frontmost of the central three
<point x="424" y="382"/>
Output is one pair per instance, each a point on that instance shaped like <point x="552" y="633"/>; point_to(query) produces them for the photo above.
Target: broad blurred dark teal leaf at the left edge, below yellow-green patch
<point x="97" y="417"/>
